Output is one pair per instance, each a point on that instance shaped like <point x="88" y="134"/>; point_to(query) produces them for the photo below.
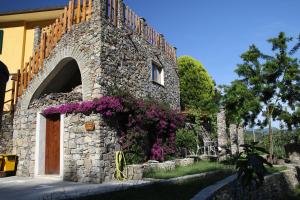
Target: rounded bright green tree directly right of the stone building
<point x="197" y="88"/>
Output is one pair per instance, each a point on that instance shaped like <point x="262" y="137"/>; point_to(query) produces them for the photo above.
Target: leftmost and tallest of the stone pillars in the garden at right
<point x="221" y="129"/>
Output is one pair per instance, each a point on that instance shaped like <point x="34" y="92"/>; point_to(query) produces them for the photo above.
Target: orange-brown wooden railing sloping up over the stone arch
<point x="50" y="36"/>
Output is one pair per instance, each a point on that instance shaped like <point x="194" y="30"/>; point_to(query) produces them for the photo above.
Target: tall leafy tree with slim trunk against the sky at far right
<point x="275" y="80"/>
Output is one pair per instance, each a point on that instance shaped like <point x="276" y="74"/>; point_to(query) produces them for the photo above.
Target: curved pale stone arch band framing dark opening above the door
<point x="52" y="66"/>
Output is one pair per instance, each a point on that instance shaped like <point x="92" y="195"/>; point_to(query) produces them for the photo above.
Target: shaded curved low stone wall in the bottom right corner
<point x="276" y="186"/>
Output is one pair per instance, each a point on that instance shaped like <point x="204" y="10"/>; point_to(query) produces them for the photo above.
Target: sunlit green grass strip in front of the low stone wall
<point x="199" y="167"/>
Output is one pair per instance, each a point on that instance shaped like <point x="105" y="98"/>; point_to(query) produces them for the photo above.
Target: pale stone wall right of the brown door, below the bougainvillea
<point x="89" y="155"/>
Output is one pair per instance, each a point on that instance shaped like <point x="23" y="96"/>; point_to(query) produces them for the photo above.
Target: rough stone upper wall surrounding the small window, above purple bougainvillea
<point x="126" y="62"/>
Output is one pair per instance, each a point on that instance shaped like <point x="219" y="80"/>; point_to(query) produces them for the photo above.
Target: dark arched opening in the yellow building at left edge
<point x="4" y="76"/>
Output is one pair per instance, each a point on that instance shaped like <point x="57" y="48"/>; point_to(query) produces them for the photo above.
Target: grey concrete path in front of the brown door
<point x="47" y="188"/>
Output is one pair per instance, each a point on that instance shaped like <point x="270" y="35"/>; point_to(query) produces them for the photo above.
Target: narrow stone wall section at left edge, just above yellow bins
<point x="6" y="134"/>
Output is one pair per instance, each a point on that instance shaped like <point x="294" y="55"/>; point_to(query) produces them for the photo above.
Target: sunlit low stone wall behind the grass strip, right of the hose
<point x="135" y="172"/>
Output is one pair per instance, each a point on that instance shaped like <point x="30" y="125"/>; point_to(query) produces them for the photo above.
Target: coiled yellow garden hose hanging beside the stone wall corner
<point x="121" y="168"/>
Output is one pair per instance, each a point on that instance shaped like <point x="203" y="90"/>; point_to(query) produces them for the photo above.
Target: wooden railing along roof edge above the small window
<point x="138" y="25"/>
